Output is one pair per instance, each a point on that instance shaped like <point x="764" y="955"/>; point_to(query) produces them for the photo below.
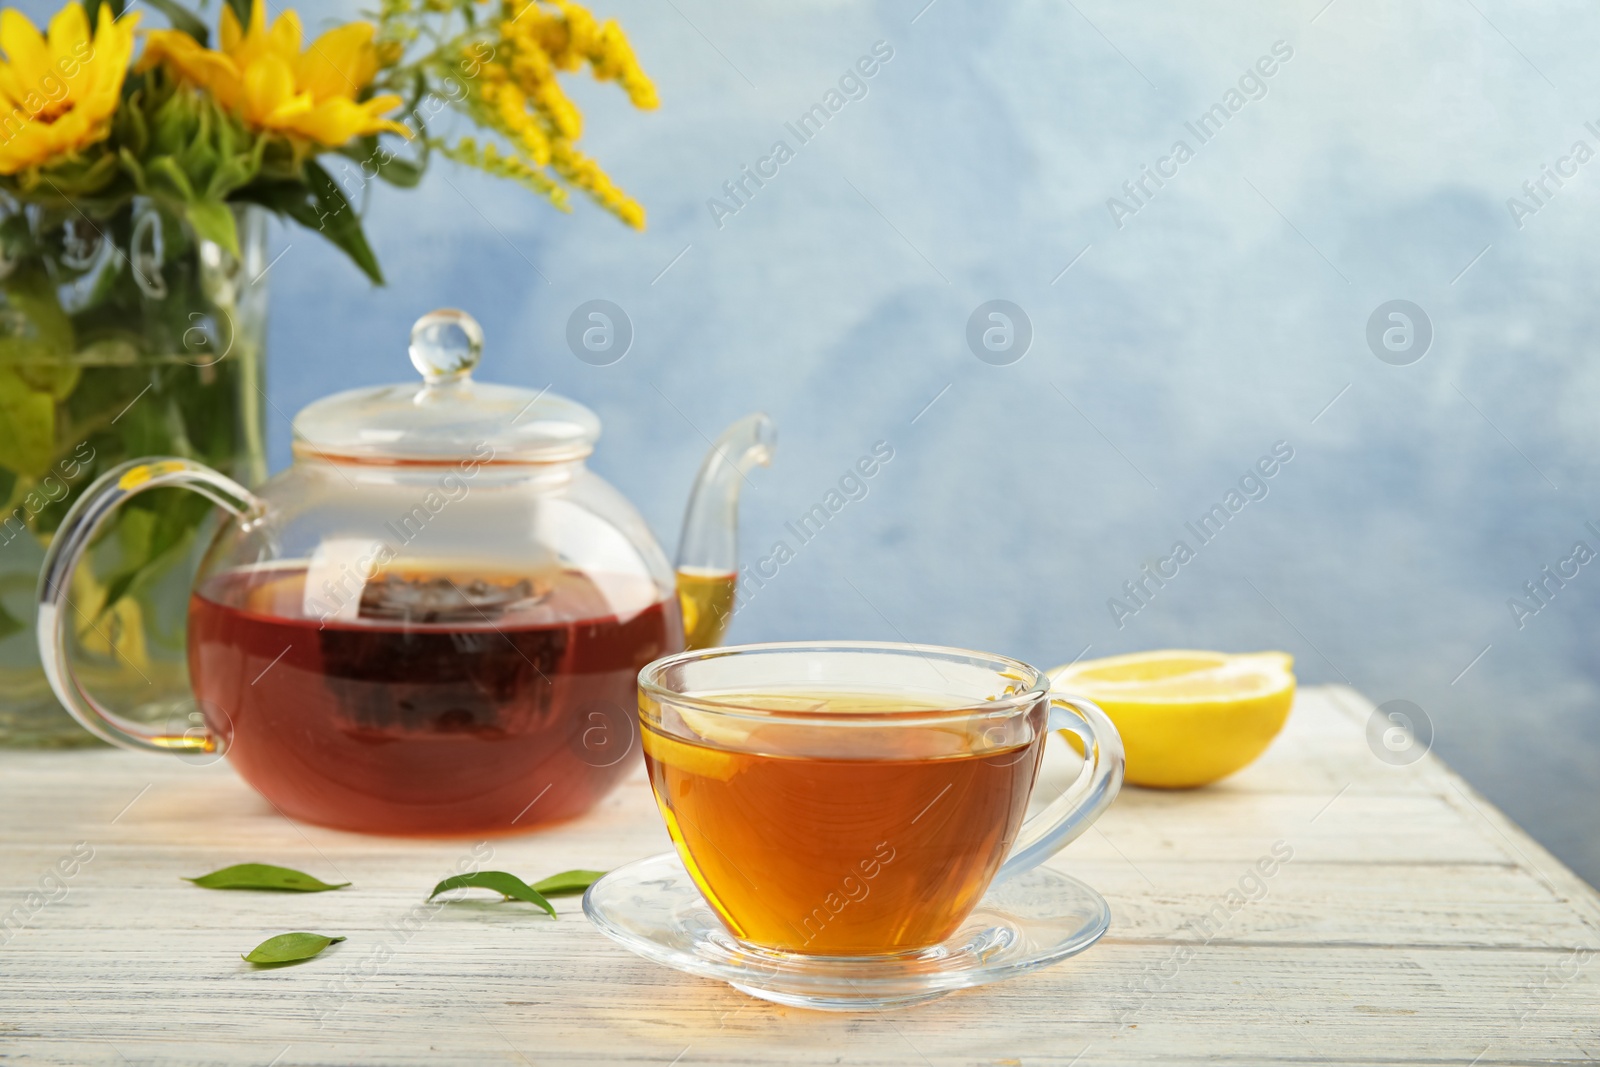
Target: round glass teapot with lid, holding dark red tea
<point x="433" y="621"/>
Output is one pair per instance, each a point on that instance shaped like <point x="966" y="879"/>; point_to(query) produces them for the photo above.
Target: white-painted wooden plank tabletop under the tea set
<point x="1414" y="925"/>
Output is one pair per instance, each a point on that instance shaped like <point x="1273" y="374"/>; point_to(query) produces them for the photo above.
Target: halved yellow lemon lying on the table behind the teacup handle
<point x="1188" y="717"/>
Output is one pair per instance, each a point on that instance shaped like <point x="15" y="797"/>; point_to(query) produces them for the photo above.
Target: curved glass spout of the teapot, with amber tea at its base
<point x="710" y="549"/>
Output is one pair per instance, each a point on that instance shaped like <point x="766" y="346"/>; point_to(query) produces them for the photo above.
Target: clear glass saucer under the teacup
<point x="1031" y="922"/>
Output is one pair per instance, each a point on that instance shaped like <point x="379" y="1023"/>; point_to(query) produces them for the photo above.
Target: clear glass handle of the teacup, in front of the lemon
<point x="1084" y="801"/>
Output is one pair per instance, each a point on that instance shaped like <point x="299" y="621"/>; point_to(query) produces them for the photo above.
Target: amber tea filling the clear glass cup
<point x="846" y="857"/>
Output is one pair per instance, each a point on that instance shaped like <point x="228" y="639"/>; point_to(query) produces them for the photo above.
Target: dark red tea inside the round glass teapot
<point x="444" y="705"/>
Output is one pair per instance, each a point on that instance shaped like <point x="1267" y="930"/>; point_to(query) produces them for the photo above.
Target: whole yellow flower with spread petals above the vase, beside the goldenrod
<point x="263" y="76"/>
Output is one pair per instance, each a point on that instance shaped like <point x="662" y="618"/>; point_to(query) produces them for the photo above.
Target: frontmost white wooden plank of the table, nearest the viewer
<point x="1257" y="1005"/>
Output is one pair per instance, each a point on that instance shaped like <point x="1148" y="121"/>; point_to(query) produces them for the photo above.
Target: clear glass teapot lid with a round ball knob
<point x="449" y="417"/>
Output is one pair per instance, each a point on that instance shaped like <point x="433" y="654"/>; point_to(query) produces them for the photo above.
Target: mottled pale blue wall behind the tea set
<point x="1228" y="314"/>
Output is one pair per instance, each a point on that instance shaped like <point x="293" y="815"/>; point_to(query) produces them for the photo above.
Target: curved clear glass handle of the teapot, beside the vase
<point x="55" y="581"/>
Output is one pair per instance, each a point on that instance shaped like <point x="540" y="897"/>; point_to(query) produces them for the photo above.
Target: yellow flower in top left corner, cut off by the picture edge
<point x="58" y="95"/>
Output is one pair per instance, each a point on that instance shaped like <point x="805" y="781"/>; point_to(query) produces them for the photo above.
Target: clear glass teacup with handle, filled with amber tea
<point x="855" y="799"/>
